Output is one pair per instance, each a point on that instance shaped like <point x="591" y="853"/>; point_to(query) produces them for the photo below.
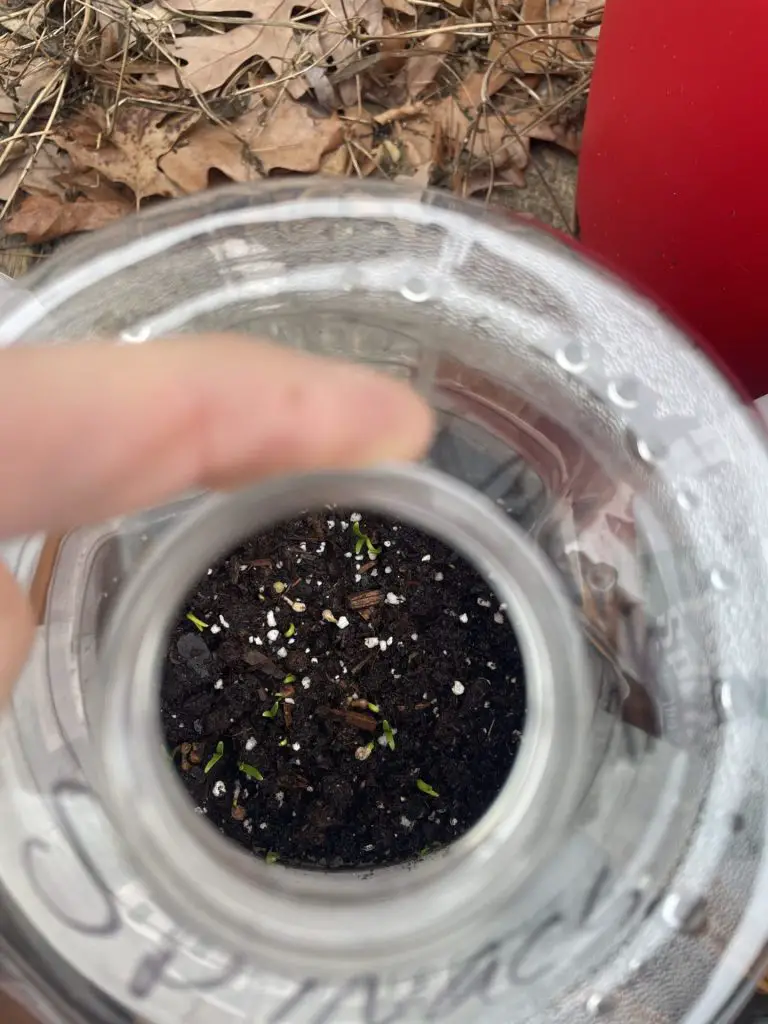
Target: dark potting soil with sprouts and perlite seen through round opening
<point x="344" y="692"/>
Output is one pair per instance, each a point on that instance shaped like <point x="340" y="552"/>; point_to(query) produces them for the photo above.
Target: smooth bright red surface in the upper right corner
<point x="674" y="172"/>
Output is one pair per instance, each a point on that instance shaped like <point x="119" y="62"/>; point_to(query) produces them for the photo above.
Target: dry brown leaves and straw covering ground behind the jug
<point x="107" y="107"/>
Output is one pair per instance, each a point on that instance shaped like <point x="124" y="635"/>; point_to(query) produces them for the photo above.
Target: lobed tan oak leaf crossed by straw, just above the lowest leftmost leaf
<point x="130" y="156"/>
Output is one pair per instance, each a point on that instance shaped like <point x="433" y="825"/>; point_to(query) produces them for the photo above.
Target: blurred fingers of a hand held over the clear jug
<point x="93" y="431"/>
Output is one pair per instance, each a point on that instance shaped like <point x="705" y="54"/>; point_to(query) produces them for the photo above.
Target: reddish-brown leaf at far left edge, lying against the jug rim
<point x="45" y="218"/>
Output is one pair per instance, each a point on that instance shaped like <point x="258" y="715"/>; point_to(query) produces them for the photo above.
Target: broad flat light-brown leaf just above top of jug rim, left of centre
<point x="292" y="138"/>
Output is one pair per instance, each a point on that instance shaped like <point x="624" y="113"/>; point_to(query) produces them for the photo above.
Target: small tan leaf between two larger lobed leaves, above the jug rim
<point x="207" y="148"/>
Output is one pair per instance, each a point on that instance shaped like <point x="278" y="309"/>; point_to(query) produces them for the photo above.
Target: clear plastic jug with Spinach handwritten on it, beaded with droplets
<point x="595" y="466"/>
